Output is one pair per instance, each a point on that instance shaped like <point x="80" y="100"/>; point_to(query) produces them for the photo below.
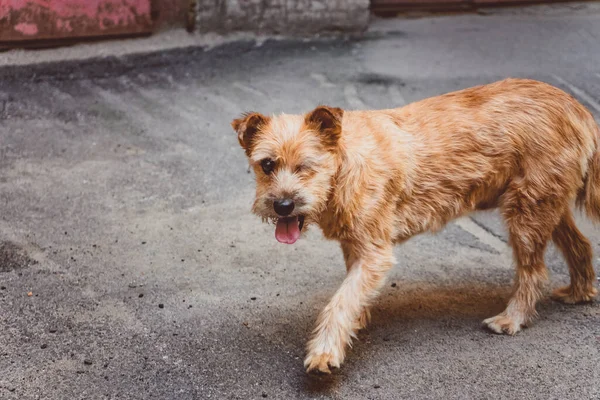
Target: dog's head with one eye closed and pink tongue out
<point x="294" y="160"/>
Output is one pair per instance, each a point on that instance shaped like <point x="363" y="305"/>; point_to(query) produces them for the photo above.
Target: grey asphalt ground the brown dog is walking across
<point x="122" y="188"/>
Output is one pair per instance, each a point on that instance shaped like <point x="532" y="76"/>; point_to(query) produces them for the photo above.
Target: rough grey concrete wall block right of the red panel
<point x="282" y="16"/>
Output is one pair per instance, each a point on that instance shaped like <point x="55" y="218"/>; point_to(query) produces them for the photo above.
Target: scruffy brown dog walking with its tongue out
<point x="371" y="179"/>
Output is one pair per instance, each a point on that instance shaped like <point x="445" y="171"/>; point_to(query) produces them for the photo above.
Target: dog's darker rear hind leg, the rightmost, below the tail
<point x="578" y="253"/>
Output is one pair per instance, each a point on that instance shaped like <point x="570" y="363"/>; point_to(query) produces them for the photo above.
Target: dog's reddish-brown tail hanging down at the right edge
<point x="588" y="197"/>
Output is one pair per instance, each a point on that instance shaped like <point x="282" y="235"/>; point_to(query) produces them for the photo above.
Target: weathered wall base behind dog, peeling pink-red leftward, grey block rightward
<point x="40" y="22"/>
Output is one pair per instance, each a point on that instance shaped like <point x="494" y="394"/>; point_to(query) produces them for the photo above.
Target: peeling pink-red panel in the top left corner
<point x="26" y="20"/>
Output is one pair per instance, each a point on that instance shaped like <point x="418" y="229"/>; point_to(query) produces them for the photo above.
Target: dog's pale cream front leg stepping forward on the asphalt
<point x="339" y="321"/>
